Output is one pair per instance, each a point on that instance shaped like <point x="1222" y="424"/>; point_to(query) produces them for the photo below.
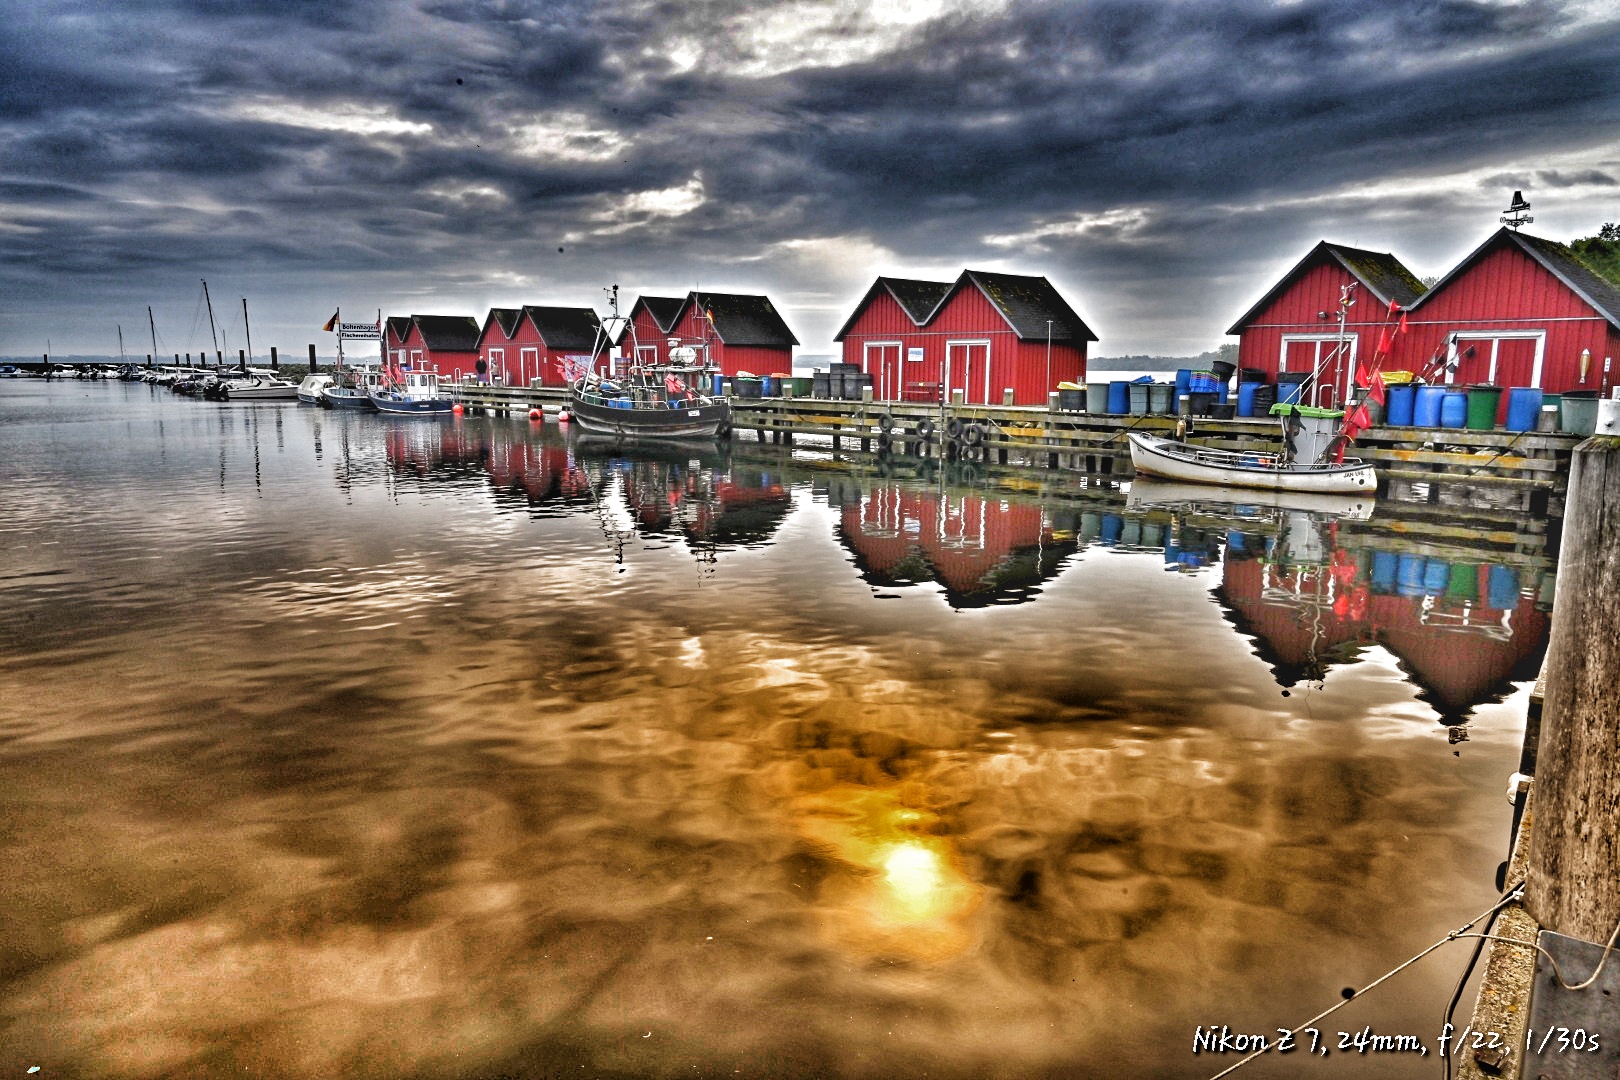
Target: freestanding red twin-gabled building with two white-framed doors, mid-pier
<point x="981" y="334"/>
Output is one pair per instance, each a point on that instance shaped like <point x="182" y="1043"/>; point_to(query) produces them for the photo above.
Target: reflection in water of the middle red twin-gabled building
<point x="981" y="550"/>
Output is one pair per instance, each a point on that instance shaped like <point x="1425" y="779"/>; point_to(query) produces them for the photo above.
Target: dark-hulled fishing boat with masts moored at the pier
<point x="649" y="401"/>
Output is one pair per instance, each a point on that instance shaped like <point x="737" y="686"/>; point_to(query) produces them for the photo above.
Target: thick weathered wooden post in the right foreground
<point x="1574" y="880"/>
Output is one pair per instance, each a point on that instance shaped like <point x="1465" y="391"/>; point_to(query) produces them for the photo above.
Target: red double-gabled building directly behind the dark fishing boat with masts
<point x="733" y="331"/>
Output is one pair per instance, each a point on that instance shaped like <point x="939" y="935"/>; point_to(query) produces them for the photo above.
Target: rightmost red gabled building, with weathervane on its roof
<point x="1520" y="312"/>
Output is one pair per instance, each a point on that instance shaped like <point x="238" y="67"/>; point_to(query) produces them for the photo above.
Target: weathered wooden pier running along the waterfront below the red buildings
<point x="1018" y="436"/>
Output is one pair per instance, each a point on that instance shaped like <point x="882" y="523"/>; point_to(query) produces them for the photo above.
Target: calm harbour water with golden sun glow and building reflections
<point x="335" y="746"/>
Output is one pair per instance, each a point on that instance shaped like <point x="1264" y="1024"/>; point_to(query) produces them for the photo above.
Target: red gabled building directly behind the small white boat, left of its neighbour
<point x="1295" y="326"/>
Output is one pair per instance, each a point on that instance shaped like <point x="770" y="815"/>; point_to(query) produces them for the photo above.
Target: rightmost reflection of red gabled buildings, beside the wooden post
<point x="1307" y="618"/>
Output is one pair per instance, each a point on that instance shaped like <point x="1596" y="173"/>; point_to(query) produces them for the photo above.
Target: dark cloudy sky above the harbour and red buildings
<point x="1161" y="161"/>
